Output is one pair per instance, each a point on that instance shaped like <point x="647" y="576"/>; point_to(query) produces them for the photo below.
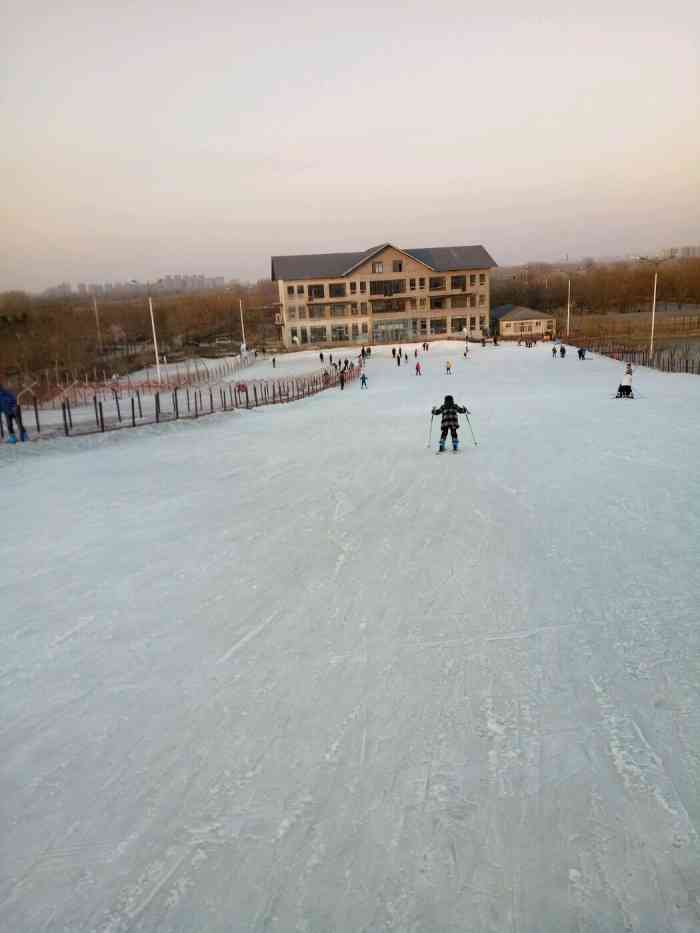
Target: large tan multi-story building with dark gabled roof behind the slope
<point x="384" y="294"/>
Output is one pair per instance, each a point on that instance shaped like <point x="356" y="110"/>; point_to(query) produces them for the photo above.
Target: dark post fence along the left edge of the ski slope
<point x="192" y="402"/>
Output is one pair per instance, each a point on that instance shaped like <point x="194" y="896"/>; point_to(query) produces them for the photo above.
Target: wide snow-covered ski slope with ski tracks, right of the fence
<point x="288" y="670"/>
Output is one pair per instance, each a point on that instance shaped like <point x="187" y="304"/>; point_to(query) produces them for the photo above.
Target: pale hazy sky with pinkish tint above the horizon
<point x="146" y="138"/>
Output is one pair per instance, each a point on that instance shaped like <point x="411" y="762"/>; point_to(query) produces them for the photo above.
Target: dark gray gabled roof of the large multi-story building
<point x="336" y="265"/>
